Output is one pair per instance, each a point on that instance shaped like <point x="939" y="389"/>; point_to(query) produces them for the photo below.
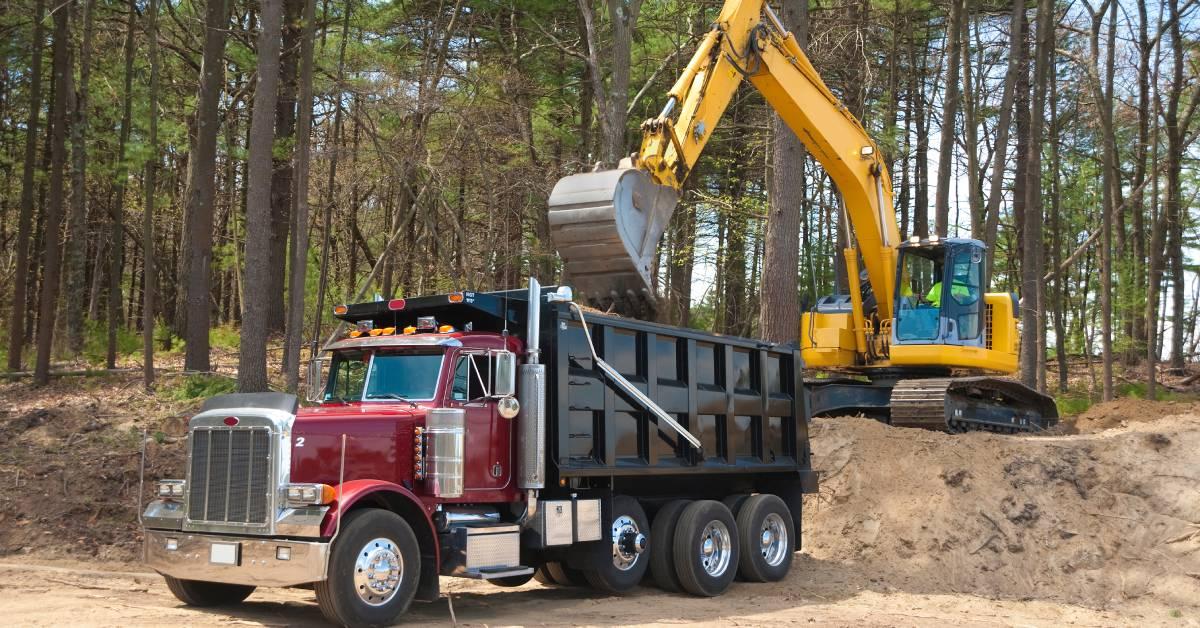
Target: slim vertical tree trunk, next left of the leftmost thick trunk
<point x="149" y="264"/>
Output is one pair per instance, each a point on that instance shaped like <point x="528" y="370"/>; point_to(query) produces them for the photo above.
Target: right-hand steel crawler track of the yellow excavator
<point x="969" y="404"/>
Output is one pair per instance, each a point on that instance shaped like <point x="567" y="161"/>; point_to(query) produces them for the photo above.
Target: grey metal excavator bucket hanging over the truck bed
<point x="607" y="228"/>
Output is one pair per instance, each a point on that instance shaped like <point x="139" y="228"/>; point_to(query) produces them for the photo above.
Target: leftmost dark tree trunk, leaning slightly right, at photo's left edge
<point x="26" y="220"/>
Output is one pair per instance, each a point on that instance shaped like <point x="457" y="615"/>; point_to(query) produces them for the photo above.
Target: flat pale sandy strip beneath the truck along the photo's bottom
<point x="57" y="594"/>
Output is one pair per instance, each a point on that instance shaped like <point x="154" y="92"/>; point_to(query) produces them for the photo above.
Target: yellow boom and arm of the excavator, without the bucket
<point x="748" y="41"/>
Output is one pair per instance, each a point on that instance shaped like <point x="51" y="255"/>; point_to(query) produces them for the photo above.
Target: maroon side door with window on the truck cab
<point x="488" y="464"/>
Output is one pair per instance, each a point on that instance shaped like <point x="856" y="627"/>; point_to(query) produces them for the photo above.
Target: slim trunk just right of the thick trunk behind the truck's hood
<point x="298" y="271"/>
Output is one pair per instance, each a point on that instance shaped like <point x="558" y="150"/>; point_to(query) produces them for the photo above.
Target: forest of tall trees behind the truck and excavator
<point x="177" y="175"/>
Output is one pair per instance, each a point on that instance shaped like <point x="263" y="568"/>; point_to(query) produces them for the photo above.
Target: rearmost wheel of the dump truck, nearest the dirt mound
<point x="766" y="530"/>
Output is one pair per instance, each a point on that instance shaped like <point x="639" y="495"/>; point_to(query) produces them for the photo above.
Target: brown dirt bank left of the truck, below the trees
<point x="70" y="458"/>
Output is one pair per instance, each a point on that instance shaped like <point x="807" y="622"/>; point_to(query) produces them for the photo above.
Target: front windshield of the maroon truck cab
<point x="388" y="376"/>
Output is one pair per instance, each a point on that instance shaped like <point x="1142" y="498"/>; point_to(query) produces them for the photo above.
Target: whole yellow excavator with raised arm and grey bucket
<point x="916" y="342"/>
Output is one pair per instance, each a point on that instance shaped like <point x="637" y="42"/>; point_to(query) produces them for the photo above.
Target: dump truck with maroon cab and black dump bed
<point x="501" y="436"/>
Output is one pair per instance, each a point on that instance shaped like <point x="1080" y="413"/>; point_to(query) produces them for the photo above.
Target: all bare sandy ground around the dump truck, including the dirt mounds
<point x="1095" y="525"/>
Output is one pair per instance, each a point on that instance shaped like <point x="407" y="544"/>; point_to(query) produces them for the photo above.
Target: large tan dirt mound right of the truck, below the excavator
<point x="1101" y="519"/>
